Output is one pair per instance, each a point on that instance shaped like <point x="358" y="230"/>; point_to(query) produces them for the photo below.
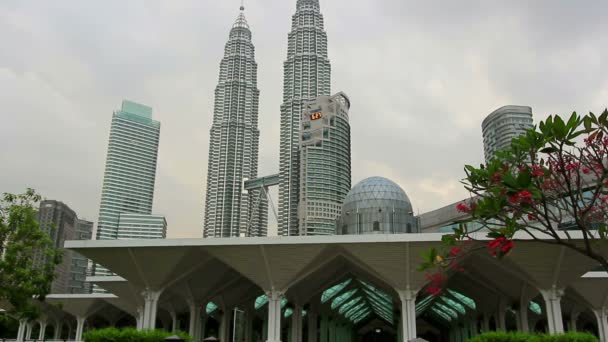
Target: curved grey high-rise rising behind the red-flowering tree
<point x="504" y="124"/>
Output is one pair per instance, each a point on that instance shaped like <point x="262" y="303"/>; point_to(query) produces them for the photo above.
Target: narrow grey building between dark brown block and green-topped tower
<point x="80" y="264"/>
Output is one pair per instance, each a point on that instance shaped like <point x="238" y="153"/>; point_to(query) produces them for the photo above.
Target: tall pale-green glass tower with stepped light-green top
<point x="130" y="173"/>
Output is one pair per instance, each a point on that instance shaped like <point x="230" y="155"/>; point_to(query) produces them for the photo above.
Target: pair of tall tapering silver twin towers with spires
<point x="233" y="150"/>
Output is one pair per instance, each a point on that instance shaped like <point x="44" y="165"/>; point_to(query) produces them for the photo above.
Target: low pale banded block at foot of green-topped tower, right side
<point x="138" y="226"/>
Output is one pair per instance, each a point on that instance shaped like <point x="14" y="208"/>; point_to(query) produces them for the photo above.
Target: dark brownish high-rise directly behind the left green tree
<point x="59" y="221"/>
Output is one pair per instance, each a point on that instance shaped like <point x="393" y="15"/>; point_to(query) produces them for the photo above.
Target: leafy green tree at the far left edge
<point x="28" y="255"/>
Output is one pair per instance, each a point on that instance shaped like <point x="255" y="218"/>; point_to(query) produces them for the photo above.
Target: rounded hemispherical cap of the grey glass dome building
<point x="377" y="192"/>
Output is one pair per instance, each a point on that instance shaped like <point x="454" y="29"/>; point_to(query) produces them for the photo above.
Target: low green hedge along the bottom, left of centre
<point x="130" y="335"/>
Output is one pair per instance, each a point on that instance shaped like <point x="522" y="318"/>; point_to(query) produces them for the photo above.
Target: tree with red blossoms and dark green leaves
<point x="551" y="182"/>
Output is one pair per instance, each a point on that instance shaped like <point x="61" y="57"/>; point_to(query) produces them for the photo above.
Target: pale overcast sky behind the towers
<point x="421" y="75"/>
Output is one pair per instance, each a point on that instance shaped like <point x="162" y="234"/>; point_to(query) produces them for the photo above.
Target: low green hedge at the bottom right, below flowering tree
<point x="500" y="336"/>
